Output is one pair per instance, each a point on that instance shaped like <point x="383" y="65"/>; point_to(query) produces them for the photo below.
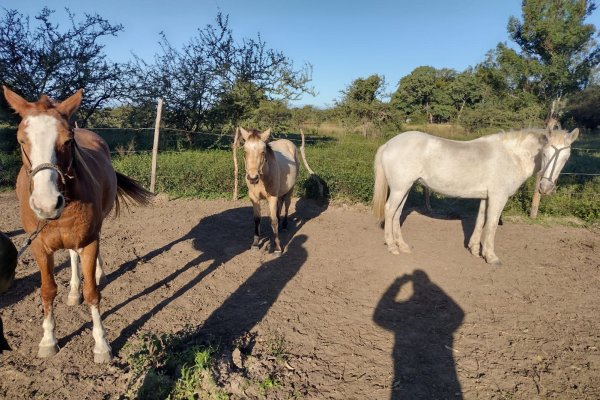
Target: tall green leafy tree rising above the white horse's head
<point x="557" y="48"/>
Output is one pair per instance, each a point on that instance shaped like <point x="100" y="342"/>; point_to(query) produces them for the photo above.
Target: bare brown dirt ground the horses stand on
<point x="358" y="322"/>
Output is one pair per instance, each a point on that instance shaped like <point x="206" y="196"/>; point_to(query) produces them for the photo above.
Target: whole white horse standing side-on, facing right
<point x="490" y="168"/>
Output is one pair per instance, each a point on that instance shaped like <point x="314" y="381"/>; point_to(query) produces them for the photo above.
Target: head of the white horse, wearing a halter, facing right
<point x="555" y="153"/>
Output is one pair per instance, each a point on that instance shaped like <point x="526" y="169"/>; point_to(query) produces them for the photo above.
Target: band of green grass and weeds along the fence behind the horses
<point x="201" y="166"/>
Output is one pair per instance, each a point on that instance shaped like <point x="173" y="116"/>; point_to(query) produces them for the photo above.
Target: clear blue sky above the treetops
<point x="343" y="40"/>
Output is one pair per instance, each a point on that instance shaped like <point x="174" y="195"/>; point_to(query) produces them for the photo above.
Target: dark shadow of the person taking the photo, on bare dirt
<point x="423" y="326"/>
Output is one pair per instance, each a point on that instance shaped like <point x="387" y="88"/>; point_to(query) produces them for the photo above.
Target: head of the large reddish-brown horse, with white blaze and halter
<point x="47" y="149"/>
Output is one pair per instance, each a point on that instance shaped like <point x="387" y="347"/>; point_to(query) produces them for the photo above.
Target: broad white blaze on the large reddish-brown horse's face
<point x="42" y="131"/>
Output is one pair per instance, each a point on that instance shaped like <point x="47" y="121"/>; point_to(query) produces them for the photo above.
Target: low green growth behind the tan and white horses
<point x="344" y="163"/>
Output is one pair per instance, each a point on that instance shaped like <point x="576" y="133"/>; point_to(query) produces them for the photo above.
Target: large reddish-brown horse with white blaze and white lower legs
<point x="66" y="187"/>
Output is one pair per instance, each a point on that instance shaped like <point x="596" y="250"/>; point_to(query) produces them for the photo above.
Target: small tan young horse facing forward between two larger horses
<point x="271" y="170"/>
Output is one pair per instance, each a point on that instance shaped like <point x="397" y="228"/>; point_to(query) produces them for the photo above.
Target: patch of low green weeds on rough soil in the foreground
<point x="183" y="366"/>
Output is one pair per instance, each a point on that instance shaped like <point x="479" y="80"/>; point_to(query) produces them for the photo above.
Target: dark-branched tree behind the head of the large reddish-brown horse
<point x="46" y="59"/>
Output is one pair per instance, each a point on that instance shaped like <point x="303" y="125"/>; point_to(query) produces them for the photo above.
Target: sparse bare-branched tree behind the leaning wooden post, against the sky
<point x="202" y="83"/>
